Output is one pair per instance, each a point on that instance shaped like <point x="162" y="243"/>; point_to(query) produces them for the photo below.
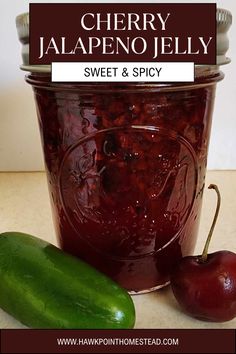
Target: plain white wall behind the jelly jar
<point x="20" y="148"/>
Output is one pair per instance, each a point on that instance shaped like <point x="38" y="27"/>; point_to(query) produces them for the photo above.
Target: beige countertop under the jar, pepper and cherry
<point x="24" y="206"/>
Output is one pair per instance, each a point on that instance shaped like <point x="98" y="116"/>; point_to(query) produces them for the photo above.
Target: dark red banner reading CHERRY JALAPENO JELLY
<point x="122" y="33"/>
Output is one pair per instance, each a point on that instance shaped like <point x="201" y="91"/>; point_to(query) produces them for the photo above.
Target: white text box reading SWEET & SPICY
<point x="122" y="72"/>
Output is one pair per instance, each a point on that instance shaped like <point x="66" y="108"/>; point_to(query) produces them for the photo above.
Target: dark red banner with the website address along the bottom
<point x="118" y="341"/>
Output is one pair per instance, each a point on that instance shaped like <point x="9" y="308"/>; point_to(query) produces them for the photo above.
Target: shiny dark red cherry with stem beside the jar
<point x="205" y="286"/>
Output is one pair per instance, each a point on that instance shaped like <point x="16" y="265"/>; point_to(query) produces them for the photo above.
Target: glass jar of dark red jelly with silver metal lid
<point x="126" y="165"/>
